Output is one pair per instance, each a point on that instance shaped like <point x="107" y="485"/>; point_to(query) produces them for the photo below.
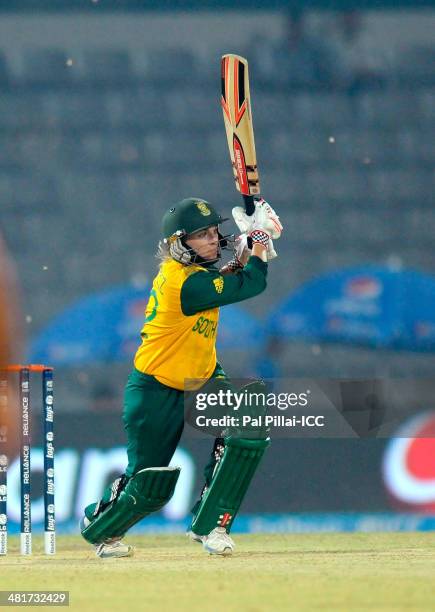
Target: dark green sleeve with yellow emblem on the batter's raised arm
<point x="209" y="289"/>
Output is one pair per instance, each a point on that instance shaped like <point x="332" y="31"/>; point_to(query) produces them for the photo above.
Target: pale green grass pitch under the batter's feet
<point x="394" y="571"/>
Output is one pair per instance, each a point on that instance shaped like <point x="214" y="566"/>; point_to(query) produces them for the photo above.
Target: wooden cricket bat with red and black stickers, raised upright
<point x="236" y="106"/>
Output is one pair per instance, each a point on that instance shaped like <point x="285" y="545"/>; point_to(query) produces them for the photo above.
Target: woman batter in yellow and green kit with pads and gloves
<point x="179" y="345"/>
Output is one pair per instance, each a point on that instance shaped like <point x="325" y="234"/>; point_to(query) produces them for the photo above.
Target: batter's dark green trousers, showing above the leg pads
<point x="153" y="420"/>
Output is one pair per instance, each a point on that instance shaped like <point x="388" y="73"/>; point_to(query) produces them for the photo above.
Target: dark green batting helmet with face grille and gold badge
<point x="186" y="217"/>
